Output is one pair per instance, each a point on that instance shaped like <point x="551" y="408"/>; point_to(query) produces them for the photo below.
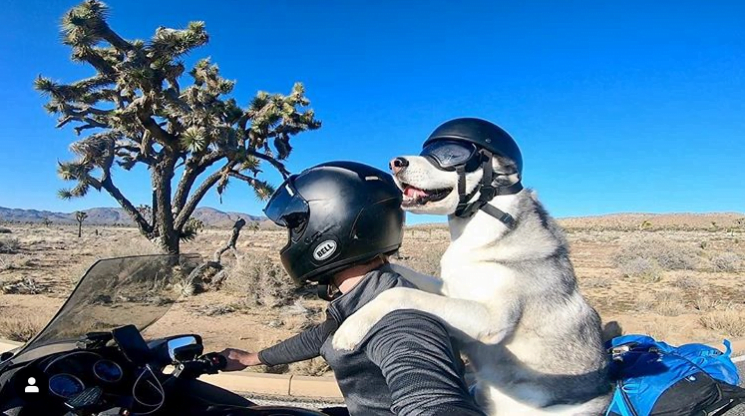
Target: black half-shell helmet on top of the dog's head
<point x="481" y="133"/>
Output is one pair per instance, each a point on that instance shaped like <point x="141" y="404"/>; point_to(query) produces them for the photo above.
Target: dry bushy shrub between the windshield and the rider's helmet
<point x="262" y="280"/>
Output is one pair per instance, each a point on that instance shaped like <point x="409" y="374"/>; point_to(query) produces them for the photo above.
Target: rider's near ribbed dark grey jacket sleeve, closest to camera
<point x="420" y="366"/>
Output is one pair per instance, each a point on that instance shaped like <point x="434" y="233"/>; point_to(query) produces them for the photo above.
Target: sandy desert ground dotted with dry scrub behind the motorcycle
<point x="678" y="277"/>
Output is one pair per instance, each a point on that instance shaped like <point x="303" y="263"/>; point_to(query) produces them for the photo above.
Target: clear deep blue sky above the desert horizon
<point x="632" y="106"/>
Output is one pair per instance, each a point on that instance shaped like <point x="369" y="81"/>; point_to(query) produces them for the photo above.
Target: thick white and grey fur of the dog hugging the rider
<point x="509" y="295"/>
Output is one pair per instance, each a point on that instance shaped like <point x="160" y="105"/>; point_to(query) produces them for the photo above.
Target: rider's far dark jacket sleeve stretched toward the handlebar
<point x="303" y="346"/>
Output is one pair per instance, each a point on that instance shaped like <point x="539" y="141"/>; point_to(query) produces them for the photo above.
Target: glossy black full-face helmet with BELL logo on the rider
<point x="338" y="214"/>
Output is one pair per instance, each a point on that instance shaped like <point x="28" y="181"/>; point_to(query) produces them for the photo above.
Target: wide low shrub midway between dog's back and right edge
<point x="668" y="255"/>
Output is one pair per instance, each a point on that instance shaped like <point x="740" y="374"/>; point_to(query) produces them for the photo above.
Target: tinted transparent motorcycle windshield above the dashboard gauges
<point x="115" y="292"/>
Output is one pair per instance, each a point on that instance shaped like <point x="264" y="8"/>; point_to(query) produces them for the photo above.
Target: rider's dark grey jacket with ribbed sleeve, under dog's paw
<point x="406" y="365"/>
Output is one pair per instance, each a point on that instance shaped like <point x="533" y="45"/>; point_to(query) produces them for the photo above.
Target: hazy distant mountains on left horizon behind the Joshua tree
<point x="116" y="216"/>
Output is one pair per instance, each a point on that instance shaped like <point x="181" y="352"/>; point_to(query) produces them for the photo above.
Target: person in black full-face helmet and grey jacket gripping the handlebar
<point x="343" y="221"/>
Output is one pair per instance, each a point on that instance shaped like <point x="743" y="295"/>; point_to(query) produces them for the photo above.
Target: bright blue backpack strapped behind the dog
<point x="653" y="378"/>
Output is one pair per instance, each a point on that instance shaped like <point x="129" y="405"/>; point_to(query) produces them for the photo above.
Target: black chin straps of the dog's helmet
<point x="487" y="191"/>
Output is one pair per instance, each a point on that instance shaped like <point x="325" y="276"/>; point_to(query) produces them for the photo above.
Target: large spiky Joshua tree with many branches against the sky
<point x="140" y="111"/>
